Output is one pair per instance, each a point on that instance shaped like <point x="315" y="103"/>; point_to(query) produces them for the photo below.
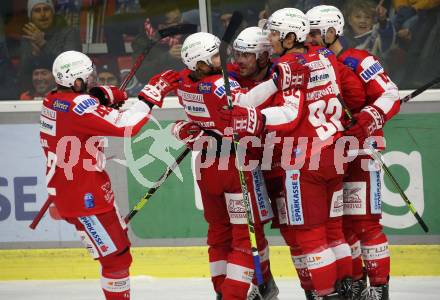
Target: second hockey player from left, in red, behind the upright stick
<point x="203" y="97"/>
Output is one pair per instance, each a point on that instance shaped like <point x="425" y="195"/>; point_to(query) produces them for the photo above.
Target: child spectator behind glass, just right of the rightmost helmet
<point x="369" y="28"/>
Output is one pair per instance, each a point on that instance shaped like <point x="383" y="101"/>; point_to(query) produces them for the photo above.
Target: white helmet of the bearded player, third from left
<point x="253" y="40"/>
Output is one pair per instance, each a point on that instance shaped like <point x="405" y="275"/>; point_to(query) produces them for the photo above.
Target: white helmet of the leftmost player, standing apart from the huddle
<point x="71" y="65"/>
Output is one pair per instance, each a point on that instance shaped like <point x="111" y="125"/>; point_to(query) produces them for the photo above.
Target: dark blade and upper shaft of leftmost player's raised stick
<point x="163" y="33"/>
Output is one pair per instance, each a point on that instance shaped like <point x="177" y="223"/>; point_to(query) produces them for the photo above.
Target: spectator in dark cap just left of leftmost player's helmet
<point x="42" y="79"/>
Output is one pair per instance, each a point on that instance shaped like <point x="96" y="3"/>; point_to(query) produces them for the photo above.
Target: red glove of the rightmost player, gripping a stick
<point x="369" y="120"/>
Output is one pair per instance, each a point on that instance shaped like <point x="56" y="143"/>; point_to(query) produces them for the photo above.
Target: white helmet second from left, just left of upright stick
<point x="200" y="46"/>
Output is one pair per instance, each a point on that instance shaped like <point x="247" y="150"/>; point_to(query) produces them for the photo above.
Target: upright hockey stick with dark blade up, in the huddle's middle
<point x="234" y="24"/>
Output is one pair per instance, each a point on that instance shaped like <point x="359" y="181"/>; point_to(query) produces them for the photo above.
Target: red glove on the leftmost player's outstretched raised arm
<point x="159" y="86"/>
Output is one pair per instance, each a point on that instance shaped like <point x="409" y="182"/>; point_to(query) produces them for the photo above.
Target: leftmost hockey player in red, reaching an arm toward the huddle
<point x="72" y="124"/>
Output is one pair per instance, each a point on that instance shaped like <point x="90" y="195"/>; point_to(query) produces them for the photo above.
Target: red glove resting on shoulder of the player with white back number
<point x="291" y="75"/>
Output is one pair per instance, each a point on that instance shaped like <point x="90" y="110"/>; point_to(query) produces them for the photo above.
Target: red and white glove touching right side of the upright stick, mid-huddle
<point x="244" y="121"/>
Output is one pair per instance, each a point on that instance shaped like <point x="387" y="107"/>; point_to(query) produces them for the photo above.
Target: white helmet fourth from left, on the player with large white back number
<point x="288" y="20"/>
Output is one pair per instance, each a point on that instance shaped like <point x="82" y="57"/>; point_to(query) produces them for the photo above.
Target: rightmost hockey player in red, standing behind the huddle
<point x="361" y="222"/>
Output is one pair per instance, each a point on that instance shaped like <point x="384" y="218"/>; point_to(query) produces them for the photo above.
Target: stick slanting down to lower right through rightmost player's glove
<point x="376" y="155"/>
